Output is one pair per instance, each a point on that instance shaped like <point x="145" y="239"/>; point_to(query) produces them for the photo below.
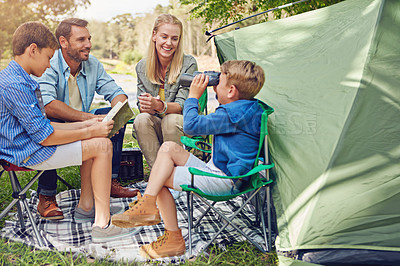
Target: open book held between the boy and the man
<point x="120" y="113"/>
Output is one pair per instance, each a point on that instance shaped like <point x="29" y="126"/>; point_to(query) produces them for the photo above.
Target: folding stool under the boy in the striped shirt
<point x="19" y="196"/>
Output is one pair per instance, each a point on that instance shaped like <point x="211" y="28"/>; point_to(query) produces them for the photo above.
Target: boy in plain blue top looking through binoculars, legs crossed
<point x="235" y="123"/>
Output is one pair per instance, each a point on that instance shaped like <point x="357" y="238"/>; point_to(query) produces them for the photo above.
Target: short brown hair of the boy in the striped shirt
<point x="33" y="32"/>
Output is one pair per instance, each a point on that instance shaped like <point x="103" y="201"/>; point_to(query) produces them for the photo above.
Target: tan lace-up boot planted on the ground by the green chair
<point x="168" y="245"/>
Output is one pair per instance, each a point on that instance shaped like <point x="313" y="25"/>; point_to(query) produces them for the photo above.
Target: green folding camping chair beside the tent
<point x="255" y="184"/>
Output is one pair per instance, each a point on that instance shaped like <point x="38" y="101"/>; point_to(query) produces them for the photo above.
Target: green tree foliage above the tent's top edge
<point x="221" y="12"/>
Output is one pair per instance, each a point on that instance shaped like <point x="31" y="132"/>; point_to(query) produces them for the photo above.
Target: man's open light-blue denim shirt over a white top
<point x="91" y="78"/>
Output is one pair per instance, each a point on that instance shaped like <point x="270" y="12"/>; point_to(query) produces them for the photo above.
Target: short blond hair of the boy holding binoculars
<point x="245" y="75"/>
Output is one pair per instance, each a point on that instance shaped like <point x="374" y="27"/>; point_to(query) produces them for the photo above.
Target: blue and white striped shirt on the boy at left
<point x="22" y="124"/>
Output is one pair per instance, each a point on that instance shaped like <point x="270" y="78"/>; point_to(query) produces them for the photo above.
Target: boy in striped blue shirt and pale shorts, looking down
<point x="29" y="139"/>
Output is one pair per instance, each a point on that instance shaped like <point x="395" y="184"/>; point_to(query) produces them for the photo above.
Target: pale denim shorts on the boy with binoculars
<point x="207" y="184"/>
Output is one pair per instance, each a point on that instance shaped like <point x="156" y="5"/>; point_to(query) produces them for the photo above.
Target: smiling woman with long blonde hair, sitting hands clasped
<point x="160" y="97"/>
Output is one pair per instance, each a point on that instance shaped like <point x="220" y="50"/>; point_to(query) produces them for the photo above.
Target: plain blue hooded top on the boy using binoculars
<point x="236" y="129"/>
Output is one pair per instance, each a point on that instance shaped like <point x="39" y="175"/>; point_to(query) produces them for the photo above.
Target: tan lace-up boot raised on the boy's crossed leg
<point x="142" y="211"/>
